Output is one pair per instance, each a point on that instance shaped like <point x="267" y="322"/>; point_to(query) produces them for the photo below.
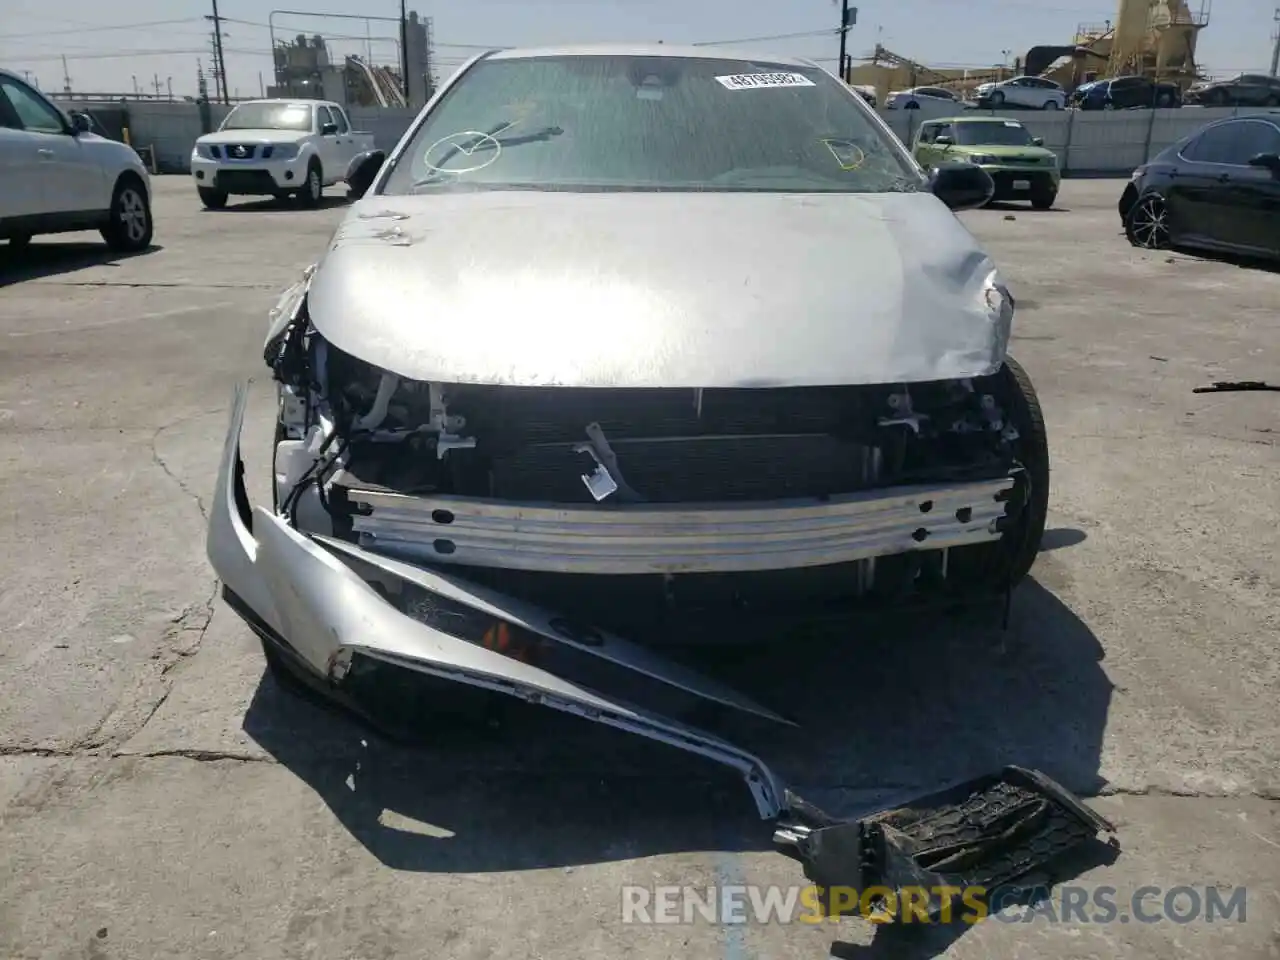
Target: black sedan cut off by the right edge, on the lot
<point x="1217" y="190"/>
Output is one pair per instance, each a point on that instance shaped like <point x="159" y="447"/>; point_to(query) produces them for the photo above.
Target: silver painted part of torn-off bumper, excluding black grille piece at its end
<point x="307" y="593"/>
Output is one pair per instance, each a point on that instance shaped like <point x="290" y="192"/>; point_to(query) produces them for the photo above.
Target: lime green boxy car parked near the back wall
<point x="1020" y="164"/>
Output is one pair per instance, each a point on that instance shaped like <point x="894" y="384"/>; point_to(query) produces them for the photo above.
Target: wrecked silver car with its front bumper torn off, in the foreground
<point x="628" y="348"/>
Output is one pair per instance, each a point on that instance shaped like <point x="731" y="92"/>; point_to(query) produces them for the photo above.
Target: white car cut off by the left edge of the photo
<point x="57" y="177"/>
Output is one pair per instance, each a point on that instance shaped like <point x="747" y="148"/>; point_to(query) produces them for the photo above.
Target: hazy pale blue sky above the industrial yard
<point x="107" y="54"/>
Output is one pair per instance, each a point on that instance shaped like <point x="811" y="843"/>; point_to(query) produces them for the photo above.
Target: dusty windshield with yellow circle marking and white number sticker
<point x="650" y="124"/>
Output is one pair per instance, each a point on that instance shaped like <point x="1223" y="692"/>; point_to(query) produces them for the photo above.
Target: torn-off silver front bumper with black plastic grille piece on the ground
<point x="322" y="601"/>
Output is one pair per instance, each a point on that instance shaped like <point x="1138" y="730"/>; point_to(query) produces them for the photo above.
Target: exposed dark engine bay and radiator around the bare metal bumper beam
<point x="350" y="431"/>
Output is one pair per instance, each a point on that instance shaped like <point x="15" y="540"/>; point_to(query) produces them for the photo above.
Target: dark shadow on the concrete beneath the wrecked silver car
<point x="893" y="708"/>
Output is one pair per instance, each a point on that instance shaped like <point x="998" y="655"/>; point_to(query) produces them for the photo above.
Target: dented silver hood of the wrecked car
<point x="661" y="290"/>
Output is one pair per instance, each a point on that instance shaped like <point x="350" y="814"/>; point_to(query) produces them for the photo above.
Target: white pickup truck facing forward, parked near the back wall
<point x="277" y="148"/>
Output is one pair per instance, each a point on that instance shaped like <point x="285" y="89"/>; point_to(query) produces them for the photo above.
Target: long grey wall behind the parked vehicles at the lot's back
<point x="1107" y="143"/>
